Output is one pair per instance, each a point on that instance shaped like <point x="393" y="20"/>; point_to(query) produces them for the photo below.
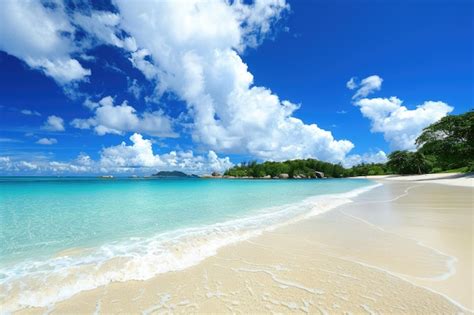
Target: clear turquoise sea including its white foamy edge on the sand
<point x="139" y="221"/>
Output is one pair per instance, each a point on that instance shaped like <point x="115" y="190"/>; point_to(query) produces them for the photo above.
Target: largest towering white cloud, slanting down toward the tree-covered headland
<point x="193" y="51"/>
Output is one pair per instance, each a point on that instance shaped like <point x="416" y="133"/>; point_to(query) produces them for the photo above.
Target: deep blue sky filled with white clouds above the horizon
<point x="133" y="87"/>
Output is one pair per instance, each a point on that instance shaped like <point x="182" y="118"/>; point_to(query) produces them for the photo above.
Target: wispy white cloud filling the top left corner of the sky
<point x="41" y="36"/>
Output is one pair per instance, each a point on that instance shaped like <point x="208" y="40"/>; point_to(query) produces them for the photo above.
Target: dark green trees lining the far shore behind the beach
<point x="447" y="145"/>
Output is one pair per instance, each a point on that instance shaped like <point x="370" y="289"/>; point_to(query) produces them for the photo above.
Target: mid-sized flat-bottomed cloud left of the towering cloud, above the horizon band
<point x="117" y="119"/>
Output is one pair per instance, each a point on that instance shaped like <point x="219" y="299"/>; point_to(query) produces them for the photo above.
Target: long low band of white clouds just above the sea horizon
<point x="137" y="157"/>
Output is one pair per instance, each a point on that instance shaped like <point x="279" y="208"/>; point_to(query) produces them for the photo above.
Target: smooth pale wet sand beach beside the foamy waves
<point x="404" y="247"/>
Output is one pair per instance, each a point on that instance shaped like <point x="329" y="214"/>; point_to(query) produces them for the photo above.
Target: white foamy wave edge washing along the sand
<point x="43" y="283"/>
